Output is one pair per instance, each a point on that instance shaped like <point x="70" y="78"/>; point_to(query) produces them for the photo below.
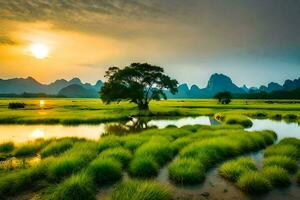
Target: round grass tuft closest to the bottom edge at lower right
<point x="253" y="183"/>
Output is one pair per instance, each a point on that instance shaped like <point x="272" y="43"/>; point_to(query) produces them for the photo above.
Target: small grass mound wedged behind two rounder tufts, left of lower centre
<point x="119" y="153"/>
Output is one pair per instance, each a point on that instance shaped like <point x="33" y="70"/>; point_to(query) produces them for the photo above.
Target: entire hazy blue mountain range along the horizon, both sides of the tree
<point x="75" y="87"/>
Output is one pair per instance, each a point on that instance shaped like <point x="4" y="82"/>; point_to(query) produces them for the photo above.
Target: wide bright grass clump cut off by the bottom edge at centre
<point x="140" y="190"/>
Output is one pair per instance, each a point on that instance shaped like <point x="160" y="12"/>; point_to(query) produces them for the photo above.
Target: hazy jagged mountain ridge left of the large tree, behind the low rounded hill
<point x="30" y="85"/>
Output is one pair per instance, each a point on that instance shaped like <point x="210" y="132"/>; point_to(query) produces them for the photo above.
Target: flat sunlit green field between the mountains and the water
<point x="93" y="111"/>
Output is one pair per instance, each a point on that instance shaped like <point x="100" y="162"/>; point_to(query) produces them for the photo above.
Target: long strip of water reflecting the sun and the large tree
<point x="23" y="133"/>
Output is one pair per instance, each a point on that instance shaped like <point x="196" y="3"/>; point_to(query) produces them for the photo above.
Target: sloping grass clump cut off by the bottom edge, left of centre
<point x="77" y="187"/>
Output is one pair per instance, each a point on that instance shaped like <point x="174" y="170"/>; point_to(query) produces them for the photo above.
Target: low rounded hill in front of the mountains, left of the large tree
<point x="78" y="91"/>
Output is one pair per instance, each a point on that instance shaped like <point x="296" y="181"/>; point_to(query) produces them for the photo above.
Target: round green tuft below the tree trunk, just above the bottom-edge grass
<point x="143" y="167"/>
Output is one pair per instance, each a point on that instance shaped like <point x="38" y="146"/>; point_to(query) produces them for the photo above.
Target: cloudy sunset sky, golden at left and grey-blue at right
<point x="252" y="41"/>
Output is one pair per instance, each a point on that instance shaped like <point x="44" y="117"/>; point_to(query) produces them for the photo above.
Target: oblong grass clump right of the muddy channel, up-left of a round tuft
<point x="232" y="170"/>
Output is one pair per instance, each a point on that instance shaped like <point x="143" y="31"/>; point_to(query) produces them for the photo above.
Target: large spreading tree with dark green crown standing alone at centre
<point x="138" y="83"/>
